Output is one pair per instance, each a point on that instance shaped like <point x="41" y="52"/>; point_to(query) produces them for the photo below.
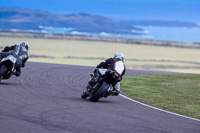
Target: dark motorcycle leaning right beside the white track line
<point x="101" y="89"/>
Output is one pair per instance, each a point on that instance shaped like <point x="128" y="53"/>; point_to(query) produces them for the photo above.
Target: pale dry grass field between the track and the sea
<point x="139" y="54"/>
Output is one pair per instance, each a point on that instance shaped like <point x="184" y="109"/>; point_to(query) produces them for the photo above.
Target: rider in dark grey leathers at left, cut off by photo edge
<point x="18" y="51"/>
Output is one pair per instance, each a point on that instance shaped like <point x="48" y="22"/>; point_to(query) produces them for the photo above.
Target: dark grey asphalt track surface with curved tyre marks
<point x="46" y="99"/>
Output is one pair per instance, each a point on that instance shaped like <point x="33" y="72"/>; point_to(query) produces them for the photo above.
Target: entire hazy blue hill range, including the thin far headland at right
<point x="39" y="21"/>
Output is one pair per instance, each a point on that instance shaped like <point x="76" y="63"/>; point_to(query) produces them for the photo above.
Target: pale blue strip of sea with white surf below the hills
<point x="178" y="34"/>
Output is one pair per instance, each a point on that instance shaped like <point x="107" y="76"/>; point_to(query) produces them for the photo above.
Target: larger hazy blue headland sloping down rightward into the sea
<point x="26" y="19"/>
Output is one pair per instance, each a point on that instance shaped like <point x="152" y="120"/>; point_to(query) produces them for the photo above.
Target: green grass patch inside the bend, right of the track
<point x="179" y="93"/>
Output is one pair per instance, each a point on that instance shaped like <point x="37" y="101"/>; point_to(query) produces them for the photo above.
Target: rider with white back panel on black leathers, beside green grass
<point x="115" y="64"/>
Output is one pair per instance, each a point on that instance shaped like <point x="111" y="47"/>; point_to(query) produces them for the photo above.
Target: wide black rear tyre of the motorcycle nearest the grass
<point x="100" y="92"/>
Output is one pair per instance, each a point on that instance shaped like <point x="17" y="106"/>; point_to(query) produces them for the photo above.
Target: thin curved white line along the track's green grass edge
<point x="158" y="108"/>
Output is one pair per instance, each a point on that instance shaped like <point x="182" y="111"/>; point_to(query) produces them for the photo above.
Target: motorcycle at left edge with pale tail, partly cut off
<point x="7" y="67"/>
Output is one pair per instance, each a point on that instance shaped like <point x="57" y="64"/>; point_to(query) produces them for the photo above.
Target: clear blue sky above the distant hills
<point x="180" y="10"/>
